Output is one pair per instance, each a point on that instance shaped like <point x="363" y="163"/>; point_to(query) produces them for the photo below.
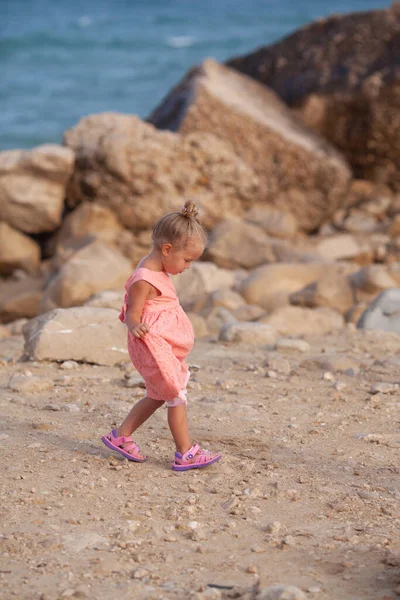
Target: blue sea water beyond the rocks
<point x="62" y="60"/>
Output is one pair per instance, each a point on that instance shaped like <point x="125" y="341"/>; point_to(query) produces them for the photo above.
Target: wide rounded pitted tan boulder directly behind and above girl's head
<point x="142" y="173"/>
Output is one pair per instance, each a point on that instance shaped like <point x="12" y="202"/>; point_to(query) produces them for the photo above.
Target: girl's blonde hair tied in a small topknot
<point x="178" y="228"/>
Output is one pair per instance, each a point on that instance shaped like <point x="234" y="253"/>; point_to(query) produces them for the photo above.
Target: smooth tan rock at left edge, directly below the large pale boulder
<point x="17" y="251"/>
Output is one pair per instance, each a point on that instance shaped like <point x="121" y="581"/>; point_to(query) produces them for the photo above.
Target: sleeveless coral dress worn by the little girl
<point x="159" y="355"/>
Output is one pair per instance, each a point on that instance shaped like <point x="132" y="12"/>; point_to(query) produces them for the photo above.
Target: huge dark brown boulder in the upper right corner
<point x="342" y="76"/>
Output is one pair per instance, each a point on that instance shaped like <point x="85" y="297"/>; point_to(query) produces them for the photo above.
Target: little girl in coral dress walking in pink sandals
<point x="160" y="336"/>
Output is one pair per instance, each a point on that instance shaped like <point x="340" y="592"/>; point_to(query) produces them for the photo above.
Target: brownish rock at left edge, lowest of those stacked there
<point x="19" y="299"/>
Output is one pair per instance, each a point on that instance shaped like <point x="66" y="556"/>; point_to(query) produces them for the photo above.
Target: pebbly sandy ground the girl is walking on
<point x="307" y="493"/>
